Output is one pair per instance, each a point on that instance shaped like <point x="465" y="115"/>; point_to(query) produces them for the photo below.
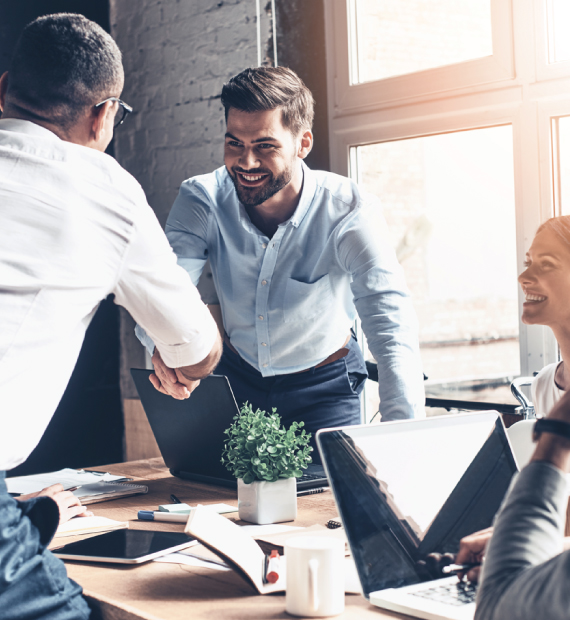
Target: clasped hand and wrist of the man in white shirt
<point x="181" y="382"/>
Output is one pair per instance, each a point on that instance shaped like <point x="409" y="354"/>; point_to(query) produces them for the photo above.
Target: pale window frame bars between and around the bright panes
<point x="519" y="88"/>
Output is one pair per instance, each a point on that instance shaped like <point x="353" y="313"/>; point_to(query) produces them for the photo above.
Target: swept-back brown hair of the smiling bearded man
<point x="268" y="88"/>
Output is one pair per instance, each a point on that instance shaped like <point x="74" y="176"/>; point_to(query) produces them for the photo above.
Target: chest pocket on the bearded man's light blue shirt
<point x="306" y="300"/>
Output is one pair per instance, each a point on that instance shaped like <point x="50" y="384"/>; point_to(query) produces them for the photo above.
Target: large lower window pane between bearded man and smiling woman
<point x="449" y="203"/>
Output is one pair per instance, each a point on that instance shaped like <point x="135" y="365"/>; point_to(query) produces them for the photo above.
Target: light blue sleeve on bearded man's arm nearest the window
<point x="385" y="309"/>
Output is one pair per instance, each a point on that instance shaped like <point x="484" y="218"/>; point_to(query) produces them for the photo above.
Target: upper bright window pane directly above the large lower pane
<point x="396" y="37"/>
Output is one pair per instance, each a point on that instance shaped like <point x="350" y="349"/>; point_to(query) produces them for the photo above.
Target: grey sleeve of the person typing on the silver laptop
<point x="524" y="575"/>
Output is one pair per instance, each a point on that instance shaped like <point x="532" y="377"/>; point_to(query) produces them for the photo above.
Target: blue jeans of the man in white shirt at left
<point x="33" y="582"/>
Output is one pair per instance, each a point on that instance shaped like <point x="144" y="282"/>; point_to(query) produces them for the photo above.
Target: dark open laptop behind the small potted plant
<point x="190" y="433"/>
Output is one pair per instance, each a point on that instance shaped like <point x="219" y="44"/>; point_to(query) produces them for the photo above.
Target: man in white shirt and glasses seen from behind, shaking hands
<point x="74" y="228"/>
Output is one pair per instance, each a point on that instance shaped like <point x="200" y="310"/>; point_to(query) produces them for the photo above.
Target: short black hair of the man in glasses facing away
<point x="62" y="65"/>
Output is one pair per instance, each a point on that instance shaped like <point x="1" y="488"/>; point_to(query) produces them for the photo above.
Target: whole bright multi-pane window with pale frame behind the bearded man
<point x="456" y="113"/>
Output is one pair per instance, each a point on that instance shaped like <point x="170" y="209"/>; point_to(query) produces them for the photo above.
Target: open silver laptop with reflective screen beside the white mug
<point x="410" y="488"/>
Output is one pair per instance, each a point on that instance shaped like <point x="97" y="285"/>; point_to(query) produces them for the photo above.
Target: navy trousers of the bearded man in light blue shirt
<point x="320" y="397"/>
